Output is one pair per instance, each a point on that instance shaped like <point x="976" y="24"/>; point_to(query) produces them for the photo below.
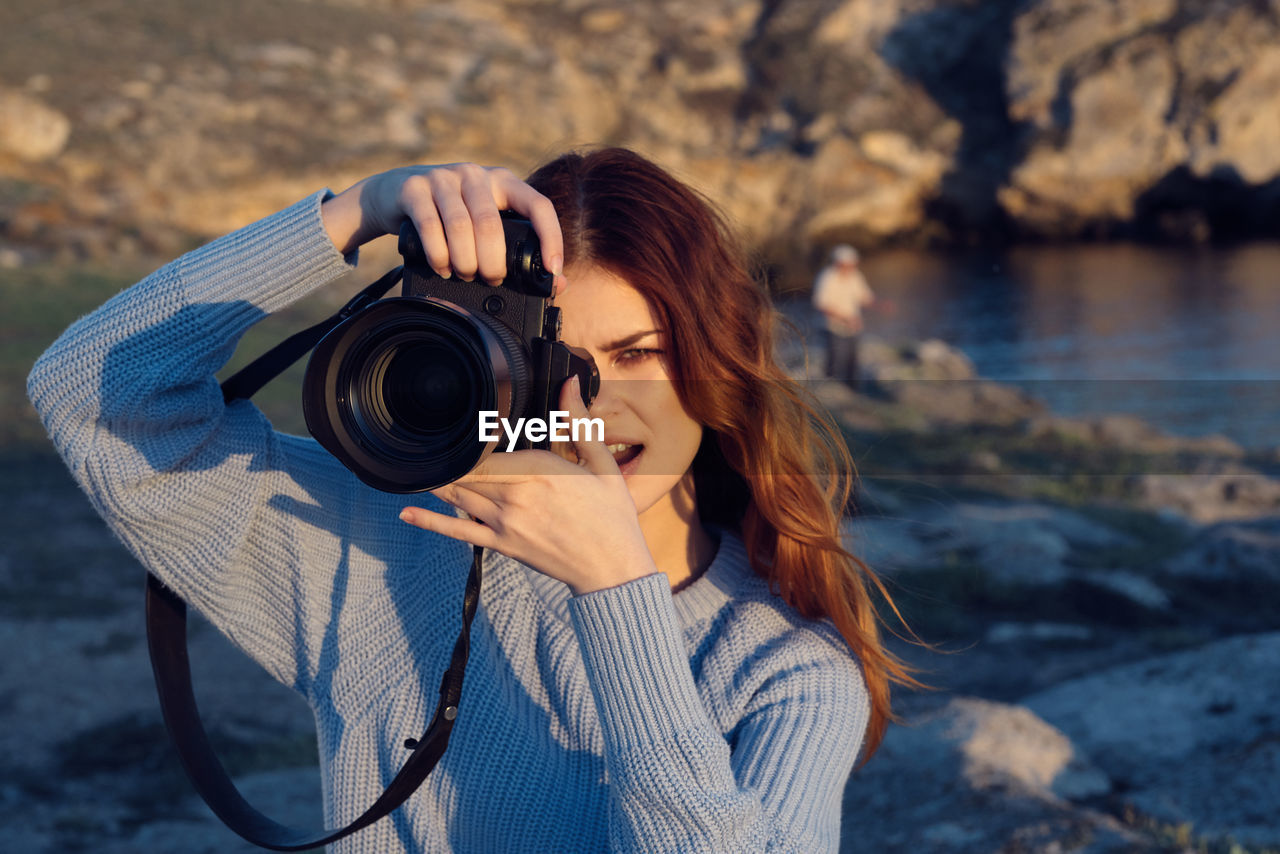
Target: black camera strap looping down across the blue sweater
<point x="167" y="643"/>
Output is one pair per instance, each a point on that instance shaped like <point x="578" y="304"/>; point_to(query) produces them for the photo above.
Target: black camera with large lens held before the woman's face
<point x="396" y="390"/>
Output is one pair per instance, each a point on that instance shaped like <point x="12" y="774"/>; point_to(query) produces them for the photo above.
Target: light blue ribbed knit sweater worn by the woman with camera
<point x="625" y="720"/>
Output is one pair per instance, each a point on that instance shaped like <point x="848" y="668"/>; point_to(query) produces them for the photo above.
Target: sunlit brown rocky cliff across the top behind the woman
<point x="149" y="125"/>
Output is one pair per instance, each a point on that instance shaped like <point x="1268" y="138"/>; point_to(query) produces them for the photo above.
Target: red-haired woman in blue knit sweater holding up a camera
<point x="673" y="651"/>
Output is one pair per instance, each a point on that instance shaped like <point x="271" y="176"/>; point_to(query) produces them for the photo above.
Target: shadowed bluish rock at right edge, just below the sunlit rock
<point x="1232" y="552"/>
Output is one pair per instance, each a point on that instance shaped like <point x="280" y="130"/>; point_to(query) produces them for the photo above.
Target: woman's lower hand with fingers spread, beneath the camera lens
<point x="574" y="523"/>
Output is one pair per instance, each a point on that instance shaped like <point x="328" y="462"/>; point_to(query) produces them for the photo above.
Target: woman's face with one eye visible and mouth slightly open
<point x="648" y="431"/>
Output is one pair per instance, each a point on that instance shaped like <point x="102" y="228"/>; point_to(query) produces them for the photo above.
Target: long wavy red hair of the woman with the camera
<point x="772" y="465"/>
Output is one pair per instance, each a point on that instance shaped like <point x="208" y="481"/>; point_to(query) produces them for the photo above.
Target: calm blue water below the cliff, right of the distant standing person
<point x="1186" y="339"/>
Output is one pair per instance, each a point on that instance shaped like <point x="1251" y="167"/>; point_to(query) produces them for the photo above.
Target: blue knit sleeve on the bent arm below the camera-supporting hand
<point x="675" y="783"/>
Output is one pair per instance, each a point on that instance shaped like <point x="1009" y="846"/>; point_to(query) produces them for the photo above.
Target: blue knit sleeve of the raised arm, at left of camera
<point x="208" y="497"/>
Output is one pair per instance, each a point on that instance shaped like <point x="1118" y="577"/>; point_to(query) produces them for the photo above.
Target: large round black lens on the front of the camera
<point x="395" y="391"/>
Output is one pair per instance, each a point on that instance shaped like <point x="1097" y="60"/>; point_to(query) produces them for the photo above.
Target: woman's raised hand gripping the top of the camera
<point x="455" y="209"/>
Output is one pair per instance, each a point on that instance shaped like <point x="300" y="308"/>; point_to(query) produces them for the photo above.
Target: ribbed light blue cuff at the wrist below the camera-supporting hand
<point x="637" y="664"/>
